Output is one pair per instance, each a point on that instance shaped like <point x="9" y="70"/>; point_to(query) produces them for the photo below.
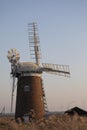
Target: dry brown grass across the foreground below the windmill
<point x="53" y="122"/>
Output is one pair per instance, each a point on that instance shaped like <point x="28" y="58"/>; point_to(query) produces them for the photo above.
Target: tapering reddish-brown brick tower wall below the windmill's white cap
<point x="29" y="96"/>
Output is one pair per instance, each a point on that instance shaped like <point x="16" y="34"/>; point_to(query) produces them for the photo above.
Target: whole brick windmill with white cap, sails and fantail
<point x="30" y="90"/>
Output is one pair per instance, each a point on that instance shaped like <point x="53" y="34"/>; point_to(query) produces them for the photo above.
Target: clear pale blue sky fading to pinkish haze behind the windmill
<point x="62" y="26"/>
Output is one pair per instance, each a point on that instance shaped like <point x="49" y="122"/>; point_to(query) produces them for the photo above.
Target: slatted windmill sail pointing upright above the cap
<point x="34" y="42"/>
